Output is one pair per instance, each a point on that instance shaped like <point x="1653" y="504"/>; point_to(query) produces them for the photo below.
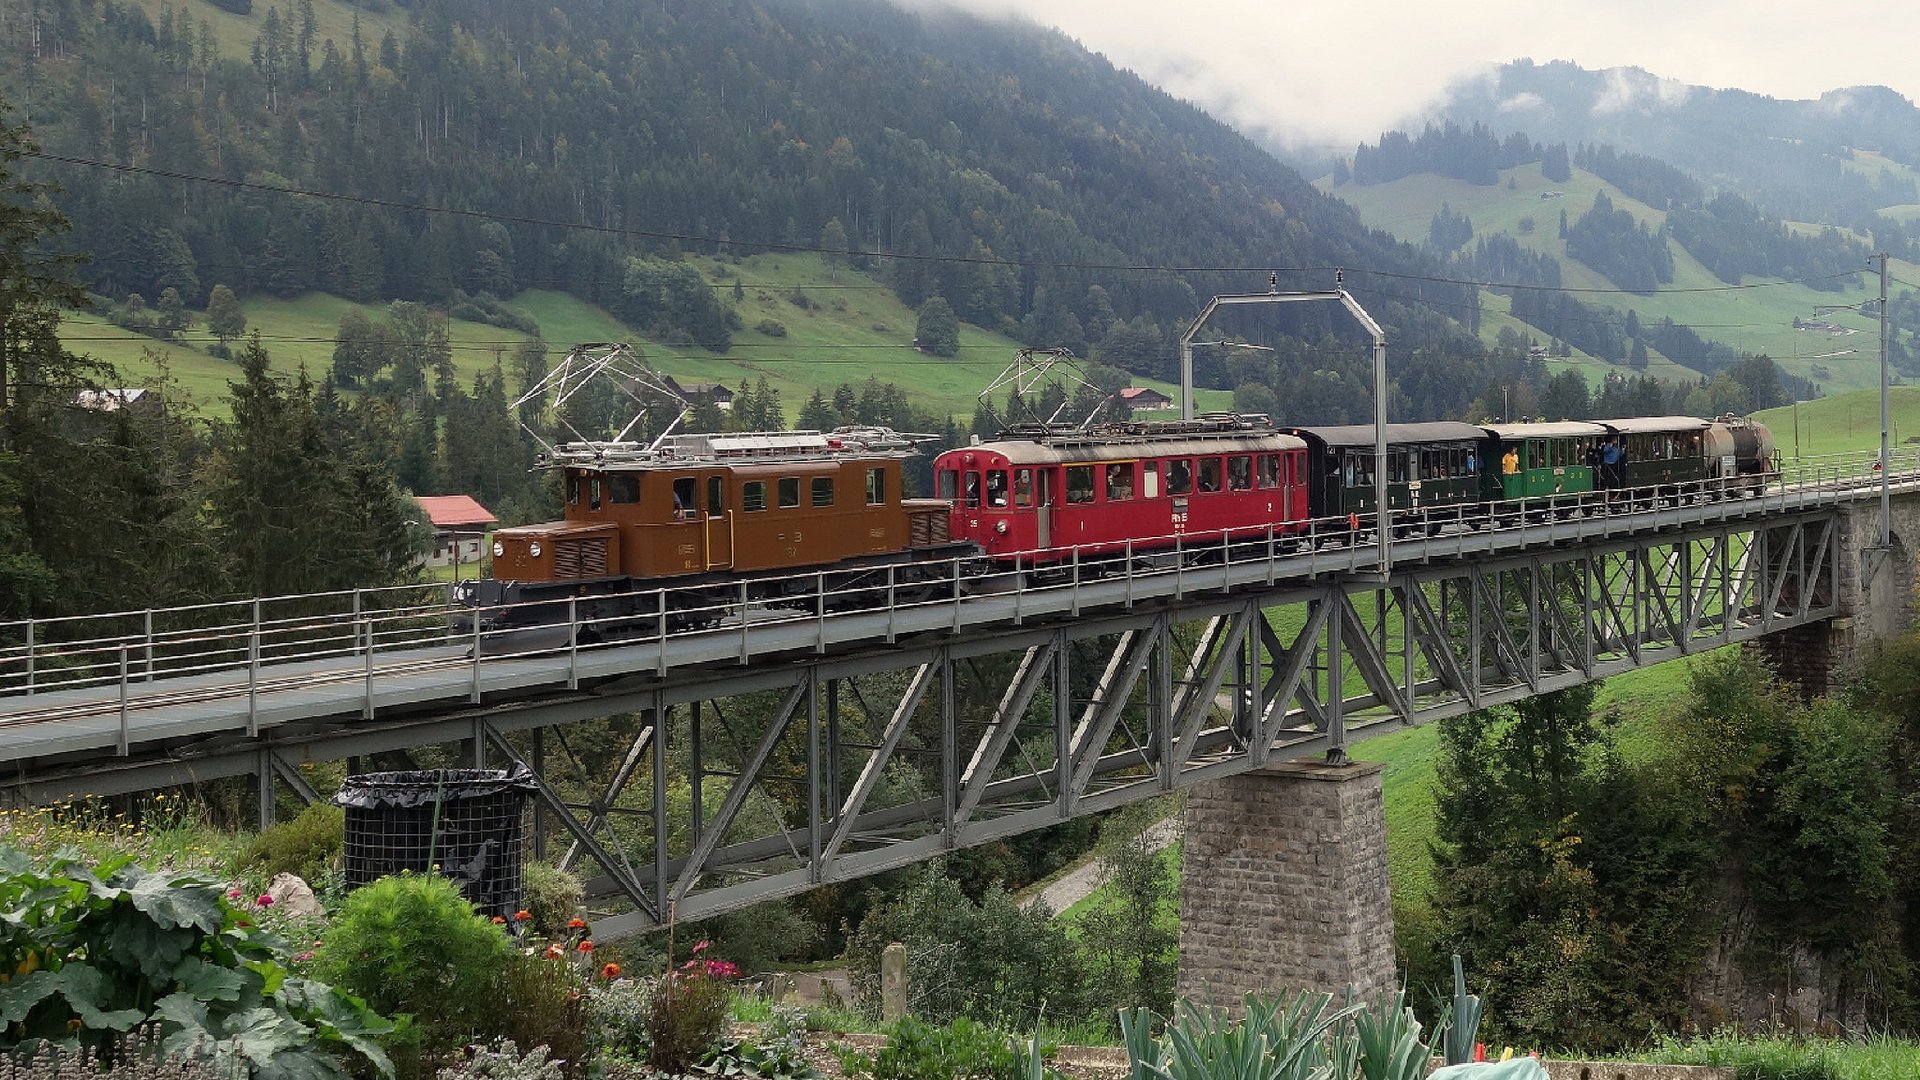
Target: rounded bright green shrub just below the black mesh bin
<point x="412" y="945"/>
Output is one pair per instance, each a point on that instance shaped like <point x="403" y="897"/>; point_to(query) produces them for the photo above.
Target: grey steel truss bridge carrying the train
<point x="853" y="733"/>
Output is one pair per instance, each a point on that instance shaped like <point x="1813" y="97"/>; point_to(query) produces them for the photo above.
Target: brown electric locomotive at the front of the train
<point x="734" y="510"/>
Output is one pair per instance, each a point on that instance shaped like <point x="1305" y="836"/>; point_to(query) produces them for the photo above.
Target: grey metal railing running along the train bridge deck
<point x="277" y="643"/>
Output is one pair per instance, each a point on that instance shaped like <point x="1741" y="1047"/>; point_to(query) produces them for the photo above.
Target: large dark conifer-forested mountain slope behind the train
<point x="999" y="168"/>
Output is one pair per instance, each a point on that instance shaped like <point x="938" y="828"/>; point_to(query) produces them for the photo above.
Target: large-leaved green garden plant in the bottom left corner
<point x="95" y="954"/>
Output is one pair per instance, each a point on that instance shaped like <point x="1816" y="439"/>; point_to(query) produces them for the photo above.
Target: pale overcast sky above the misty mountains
<point x="1339" y="74"/>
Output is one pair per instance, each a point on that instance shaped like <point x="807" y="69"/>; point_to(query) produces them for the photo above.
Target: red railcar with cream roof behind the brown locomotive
<point x="1044" y="495"/>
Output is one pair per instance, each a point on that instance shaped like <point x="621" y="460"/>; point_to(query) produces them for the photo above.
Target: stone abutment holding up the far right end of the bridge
<point x="1877" y="599"/>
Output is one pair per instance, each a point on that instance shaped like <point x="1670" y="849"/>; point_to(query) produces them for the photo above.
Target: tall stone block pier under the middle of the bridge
<point x="1285" y="885"/>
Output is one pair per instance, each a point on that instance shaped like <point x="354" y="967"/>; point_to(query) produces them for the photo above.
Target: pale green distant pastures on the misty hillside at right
<point x="1527" y="209"/>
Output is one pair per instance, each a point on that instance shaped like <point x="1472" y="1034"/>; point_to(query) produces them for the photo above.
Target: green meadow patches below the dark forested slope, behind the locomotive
<point x="834" y="328"/>
